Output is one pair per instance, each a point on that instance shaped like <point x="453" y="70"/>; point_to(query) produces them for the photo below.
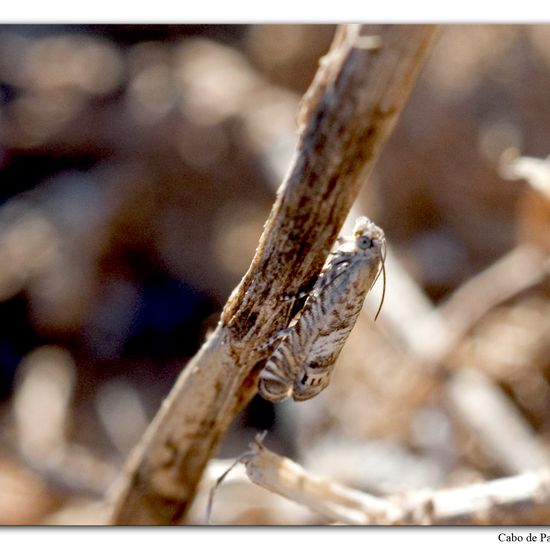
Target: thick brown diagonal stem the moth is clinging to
<point x="347" y="115"/>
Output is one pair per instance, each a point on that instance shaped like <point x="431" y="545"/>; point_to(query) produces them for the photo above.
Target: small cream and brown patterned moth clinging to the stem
<point x="302" y="363"/>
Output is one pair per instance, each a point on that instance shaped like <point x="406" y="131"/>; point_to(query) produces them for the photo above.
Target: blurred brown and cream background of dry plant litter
<point x="137" y="167"/>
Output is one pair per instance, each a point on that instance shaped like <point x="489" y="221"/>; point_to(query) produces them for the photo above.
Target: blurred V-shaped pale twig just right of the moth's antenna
<point x="432" y="333"/>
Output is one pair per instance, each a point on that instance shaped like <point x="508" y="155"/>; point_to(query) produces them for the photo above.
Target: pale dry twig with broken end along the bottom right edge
<point x="522" y="498"/>
